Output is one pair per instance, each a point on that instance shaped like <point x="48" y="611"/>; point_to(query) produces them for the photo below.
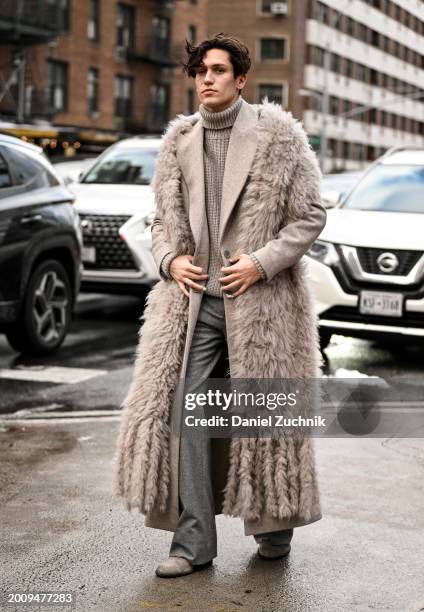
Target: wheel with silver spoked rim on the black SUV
<point x="46" y="312"/>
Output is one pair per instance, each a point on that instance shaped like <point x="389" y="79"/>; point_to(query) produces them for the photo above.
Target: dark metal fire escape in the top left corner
<point x="23" y="24"/>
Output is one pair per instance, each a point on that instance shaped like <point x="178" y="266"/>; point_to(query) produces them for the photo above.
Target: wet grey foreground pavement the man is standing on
<point x="62" y="529"/>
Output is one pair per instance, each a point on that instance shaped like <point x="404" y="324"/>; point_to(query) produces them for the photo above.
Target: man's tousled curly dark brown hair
<point x="239" y="53"/>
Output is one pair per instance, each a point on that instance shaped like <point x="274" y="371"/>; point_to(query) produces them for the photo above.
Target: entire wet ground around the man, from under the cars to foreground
<point x="63" y="529"/>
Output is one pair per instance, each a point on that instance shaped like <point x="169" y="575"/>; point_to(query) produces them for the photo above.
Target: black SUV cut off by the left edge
<point x="40" y="250"/>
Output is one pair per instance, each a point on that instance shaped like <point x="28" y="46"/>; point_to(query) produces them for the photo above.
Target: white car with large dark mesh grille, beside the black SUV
<point x="116" y="205"/>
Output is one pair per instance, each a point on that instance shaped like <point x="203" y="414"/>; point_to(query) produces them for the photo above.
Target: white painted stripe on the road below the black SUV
<point x="53" y="374"/>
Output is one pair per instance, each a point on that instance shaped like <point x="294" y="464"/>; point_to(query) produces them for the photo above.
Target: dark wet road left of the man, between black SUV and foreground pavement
<point x="95" y="361"/>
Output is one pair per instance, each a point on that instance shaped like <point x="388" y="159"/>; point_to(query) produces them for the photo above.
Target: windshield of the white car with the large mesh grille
<point x="124" y="167"/>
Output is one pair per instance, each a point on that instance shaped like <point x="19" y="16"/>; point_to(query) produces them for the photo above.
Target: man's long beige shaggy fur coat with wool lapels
<point x="271" y="196"/>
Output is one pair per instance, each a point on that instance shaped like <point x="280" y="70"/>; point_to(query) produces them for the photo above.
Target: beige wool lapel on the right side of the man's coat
<point x="240" y="154"/>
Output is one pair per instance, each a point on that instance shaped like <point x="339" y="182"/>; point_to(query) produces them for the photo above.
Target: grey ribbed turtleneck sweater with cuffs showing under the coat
<point x="217" y="132"/>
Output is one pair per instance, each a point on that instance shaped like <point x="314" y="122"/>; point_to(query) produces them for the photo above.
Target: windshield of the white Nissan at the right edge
<point x="391" y="189"/>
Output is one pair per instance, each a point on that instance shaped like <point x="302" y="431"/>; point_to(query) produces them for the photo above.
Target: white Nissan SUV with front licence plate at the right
<point x="367" y="267"/>
